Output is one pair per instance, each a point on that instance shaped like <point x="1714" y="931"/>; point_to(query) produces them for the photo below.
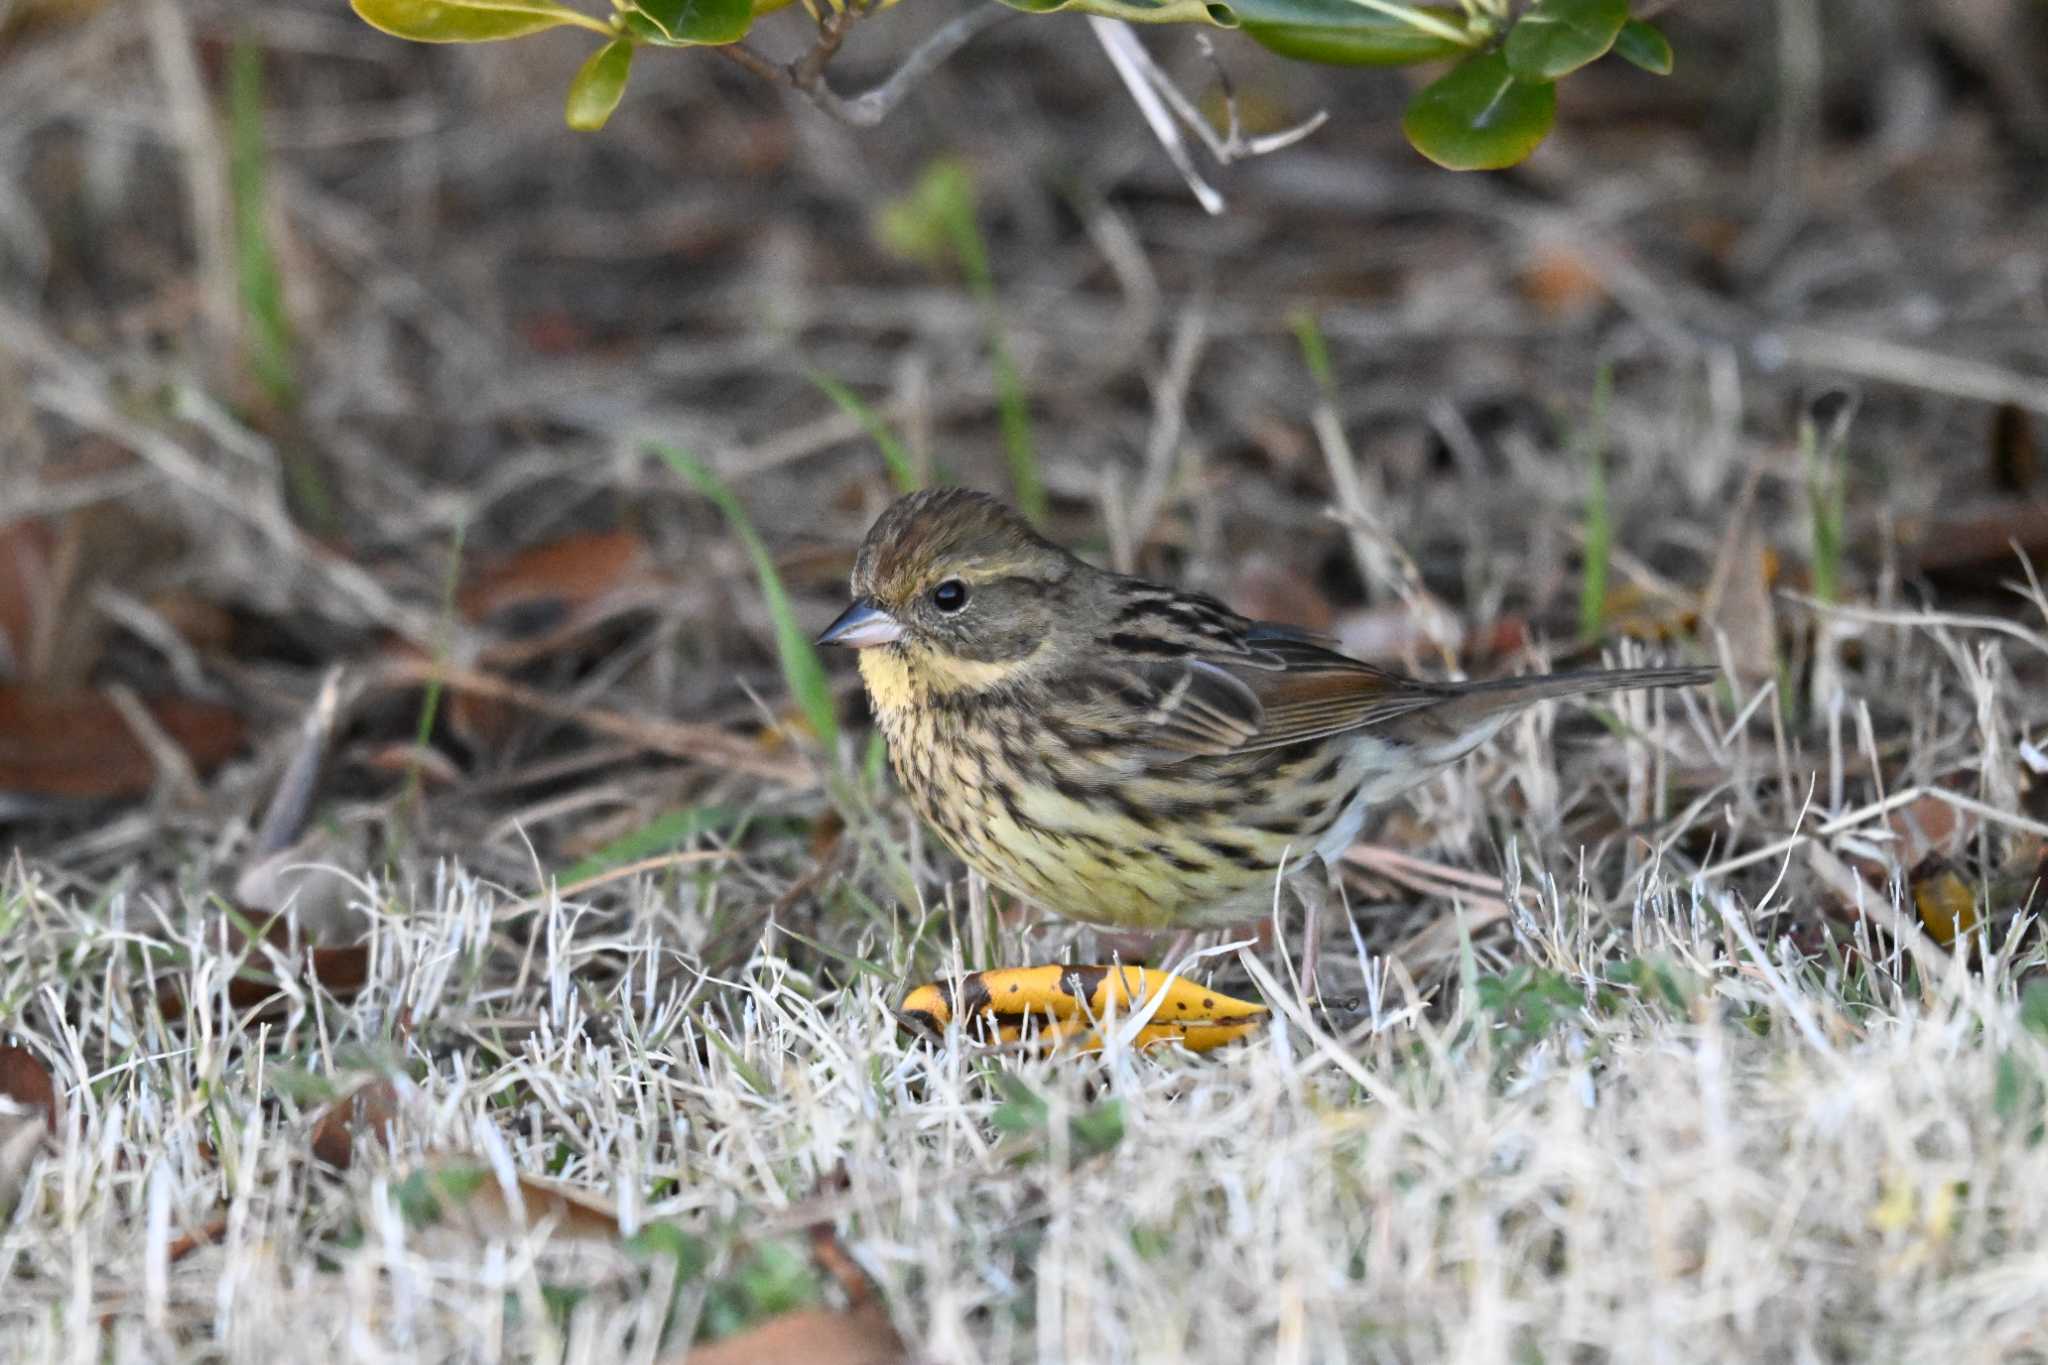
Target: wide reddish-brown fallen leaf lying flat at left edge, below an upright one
<point x="77" y="744"/>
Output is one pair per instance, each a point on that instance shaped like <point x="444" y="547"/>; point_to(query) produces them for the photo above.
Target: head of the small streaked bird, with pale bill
<point x="955" y="592"/>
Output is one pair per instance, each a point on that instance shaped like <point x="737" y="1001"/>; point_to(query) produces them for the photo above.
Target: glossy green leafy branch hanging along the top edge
<point x="1490" y="109"/>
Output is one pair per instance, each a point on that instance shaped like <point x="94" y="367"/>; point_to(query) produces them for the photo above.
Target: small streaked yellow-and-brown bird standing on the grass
<point x="1129" y="754"/>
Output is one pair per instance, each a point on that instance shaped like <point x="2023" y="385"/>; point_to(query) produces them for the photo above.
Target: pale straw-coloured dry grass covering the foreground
<point x="1715" y="1149"/>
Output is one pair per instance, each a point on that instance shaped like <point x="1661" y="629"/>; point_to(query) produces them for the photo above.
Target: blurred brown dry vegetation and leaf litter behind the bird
<point x="321" y="349"/>
